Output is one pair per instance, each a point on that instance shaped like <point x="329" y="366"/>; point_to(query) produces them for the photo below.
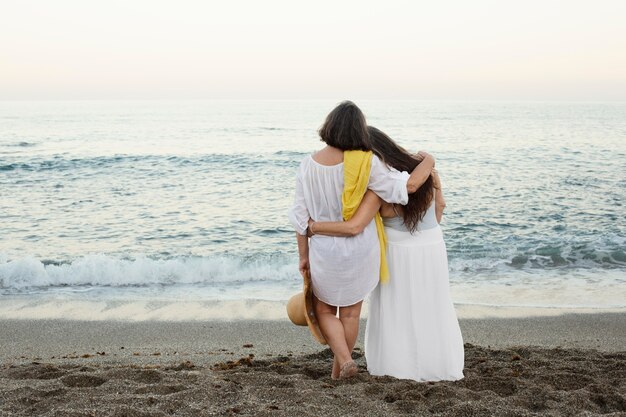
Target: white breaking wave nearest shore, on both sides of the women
<point x="31" y="274"/>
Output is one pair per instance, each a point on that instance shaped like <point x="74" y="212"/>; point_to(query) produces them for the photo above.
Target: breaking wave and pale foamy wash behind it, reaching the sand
<point x="100" y="287"/>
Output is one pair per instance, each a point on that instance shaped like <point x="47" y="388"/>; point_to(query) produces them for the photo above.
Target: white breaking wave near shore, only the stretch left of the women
<point x="107" y="271"/>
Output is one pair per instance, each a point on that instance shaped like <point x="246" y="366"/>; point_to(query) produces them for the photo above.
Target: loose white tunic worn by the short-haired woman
<point x="343" y="269"/>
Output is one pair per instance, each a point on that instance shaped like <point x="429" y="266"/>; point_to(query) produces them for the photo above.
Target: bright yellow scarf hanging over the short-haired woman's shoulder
<point x="356" y="174"/>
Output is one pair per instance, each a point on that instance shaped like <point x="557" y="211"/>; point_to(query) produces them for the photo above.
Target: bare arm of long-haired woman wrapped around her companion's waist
<point x="365" y="213"/>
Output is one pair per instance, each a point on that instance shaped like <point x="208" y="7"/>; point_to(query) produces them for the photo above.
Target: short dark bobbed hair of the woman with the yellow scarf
<point x="345" y="128"/>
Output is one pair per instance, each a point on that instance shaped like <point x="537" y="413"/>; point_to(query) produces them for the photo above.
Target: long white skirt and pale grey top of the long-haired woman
<point x="412" y="331"/>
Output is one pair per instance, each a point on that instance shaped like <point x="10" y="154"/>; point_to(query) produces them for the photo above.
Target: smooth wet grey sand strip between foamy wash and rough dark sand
<point x="24" y="340"/>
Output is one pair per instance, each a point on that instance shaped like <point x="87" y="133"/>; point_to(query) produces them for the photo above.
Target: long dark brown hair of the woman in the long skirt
<point x="396" y="156"/>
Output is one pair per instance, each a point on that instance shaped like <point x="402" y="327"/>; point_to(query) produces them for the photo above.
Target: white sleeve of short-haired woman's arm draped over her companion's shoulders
<point x="388" y="183"/>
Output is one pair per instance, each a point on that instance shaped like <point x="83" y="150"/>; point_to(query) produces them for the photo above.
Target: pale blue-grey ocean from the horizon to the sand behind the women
<point x="177" y="210"/>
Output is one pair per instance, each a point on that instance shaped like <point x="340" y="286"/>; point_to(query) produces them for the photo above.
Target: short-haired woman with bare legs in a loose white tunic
<point x="343" y="270"/>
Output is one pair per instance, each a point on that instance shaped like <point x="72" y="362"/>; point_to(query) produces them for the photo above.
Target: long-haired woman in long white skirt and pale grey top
<point x="412" y="331"/>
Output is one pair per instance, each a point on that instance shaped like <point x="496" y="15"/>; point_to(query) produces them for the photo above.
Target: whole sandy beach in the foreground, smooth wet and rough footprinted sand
<point x="573" y="364"/>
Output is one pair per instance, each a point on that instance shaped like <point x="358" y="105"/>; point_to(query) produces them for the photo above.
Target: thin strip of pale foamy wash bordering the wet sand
<point x="100" y="308"/>
